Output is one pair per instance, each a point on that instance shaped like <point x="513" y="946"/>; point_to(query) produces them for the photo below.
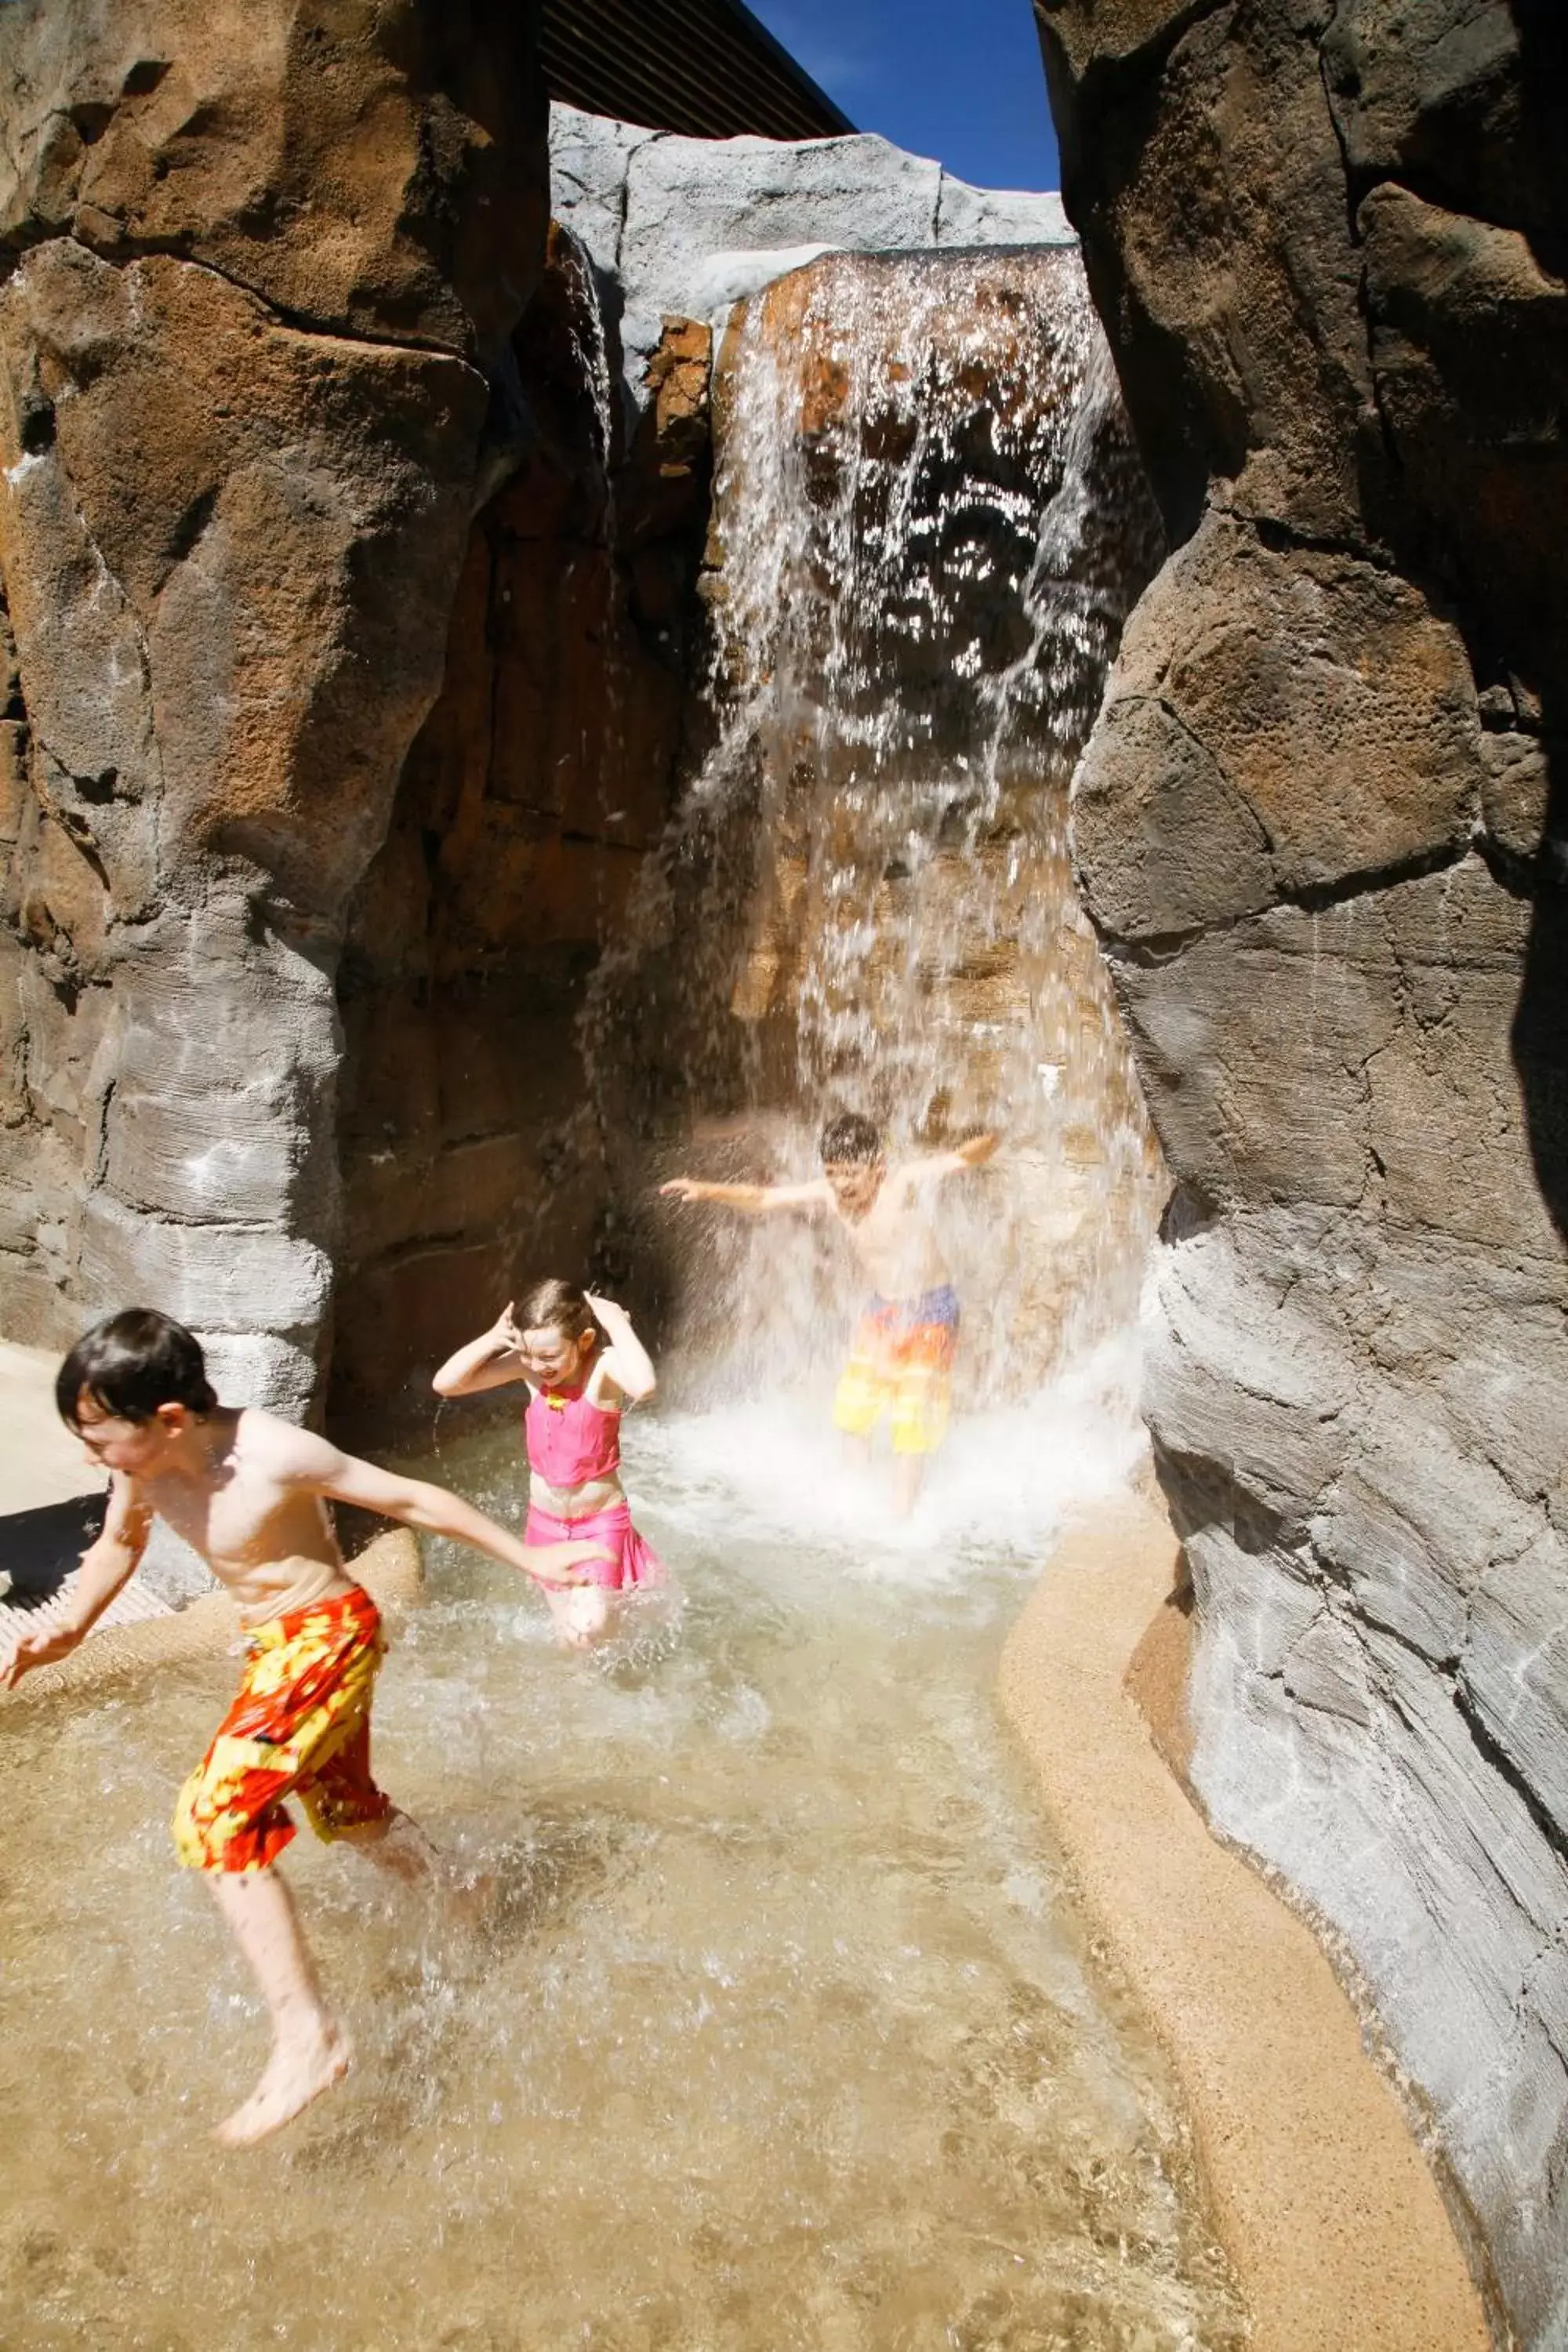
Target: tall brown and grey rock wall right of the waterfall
<point x="1322" y="834"/>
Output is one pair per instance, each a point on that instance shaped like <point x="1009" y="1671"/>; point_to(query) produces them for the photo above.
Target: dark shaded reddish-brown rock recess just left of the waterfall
<point x="530" y="799"/>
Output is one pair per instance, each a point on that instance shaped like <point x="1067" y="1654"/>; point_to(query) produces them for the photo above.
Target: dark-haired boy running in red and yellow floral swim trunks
<point x="248" y="1492"/>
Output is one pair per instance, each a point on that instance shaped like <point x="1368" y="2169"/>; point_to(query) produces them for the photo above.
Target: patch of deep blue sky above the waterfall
<point x="949" y="79"/>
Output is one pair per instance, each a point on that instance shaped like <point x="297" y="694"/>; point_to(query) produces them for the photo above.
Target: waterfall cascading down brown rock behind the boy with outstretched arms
<point x="927" y="533"/>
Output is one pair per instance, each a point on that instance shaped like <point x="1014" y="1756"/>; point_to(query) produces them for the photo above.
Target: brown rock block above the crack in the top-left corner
<point x="359" y="166"/>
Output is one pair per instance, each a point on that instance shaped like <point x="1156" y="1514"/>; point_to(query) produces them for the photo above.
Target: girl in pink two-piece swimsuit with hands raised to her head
<point x="584" y="1365"/>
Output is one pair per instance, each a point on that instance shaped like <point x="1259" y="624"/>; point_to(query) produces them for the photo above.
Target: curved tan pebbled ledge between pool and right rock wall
<point x="1320" y="2193"/>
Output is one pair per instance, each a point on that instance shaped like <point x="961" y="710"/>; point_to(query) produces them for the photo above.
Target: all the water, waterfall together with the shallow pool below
<point x="784" y="2029"/>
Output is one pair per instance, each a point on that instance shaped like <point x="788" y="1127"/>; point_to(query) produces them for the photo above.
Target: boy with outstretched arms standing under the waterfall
<point x="902" y="1356"/>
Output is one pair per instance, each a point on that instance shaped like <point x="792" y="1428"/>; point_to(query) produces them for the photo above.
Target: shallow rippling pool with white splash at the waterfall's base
<point x="784" y="2033"/>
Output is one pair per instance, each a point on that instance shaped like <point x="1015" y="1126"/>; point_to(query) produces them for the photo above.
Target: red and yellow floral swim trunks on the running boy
<point x="300" y="1728"/>
